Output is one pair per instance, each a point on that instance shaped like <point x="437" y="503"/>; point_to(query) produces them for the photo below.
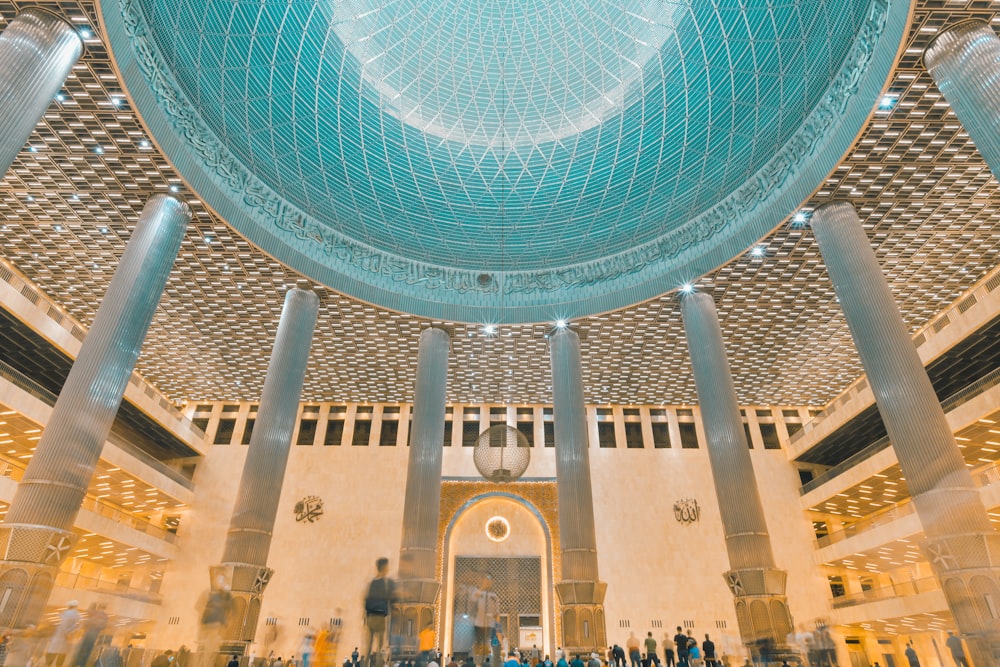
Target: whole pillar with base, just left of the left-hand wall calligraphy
<point x="244" y="570"/>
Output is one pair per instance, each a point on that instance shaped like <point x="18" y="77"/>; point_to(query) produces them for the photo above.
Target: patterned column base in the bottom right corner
<point x="968" y="568"/>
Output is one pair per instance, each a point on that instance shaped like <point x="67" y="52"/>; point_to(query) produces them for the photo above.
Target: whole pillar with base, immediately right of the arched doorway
<point x="580" y="591"/>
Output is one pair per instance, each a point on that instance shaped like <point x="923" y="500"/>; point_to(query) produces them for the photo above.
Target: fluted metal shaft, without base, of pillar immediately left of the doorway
<point x="418" y="554"/>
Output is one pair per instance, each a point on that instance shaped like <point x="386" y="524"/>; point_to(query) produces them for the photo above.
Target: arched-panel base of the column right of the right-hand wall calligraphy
<point x="762" y="610"/>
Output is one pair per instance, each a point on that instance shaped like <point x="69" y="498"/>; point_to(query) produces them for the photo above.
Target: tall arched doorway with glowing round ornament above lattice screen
<point x="497" y="566"/>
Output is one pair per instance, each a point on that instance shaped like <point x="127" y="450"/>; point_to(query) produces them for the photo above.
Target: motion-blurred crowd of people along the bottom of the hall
<point x="78" y="639"/>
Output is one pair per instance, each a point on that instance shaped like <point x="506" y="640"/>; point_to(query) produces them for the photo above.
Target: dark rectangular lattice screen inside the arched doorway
<point x="517" y="585"/>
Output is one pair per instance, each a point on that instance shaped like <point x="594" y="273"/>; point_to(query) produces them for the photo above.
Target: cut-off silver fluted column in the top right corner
<point x="964" y="61"/>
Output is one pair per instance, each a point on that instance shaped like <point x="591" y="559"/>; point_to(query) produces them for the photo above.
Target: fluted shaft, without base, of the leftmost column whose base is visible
<point x="56" y="480"/>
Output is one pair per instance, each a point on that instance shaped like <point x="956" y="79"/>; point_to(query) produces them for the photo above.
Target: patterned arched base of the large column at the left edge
<point x="30" y="558"/>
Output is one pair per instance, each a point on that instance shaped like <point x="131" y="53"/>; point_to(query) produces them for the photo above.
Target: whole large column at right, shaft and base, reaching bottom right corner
<point x="960" y="542"/>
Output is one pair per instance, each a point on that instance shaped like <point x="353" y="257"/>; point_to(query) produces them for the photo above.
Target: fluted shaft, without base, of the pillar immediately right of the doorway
<point x="577" y="534"/>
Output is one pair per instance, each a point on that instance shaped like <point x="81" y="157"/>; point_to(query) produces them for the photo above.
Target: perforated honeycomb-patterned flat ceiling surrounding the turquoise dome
<point x="68" y="204"/>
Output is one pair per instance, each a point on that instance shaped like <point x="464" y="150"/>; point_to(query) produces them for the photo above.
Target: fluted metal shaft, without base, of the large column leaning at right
<point x="942" y="487"/>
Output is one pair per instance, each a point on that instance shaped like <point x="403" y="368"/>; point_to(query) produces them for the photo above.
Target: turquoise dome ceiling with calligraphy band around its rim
<point x="504" y="160"/>
